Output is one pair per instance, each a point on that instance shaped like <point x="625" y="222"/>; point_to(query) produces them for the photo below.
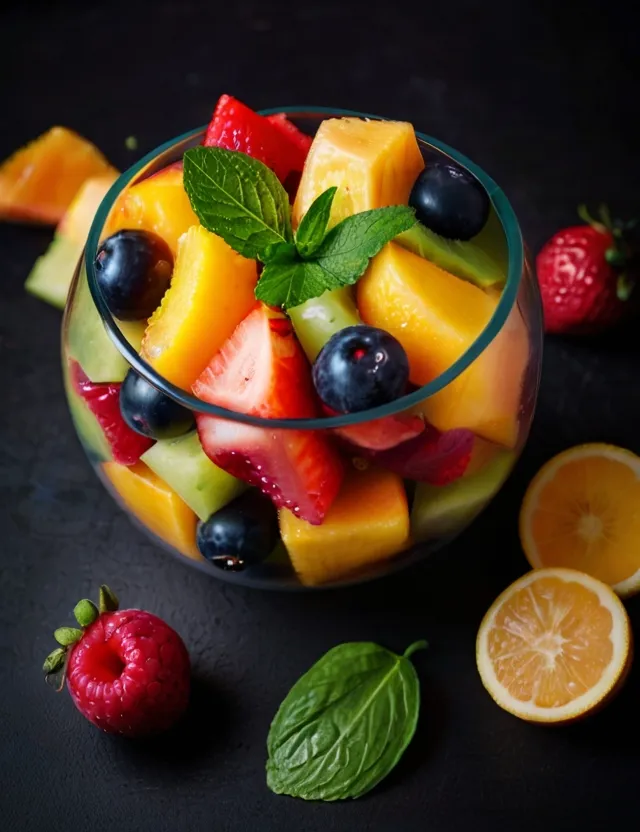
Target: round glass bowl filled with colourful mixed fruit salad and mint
<point x="315" y="354"/>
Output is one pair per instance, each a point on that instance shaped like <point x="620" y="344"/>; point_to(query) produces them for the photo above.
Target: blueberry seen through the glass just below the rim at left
<point x="149" y="412"/>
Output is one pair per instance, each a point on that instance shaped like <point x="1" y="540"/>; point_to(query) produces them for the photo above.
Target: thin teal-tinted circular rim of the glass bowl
<point x="515" y="250"/>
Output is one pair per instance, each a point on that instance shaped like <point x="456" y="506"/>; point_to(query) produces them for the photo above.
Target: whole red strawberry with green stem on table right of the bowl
<point x="586" y="275"/>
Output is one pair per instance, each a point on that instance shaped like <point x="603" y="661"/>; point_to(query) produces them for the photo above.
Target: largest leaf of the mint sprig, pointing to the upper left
<point x="238" y="198"/>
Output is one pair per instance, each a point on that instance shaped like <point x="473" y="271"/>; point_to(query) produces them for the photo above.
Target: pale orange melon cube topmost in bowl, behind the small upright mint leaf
<point x="372" y="163"/>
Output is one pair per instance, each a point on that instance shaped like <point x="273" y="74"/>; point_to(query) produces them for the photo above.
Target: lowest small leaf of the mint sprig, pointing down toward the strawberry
<point x="290" y="284"/>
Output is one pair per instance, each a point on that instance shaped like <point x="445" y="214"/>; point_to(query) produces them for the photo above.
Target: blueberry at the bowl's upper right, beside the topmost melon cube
<point x="450" y="201"/>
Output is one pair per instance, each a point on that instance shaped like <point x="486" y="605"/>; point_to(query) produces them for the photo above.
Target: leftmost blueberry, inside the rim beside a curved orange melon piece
<point x="134" y="271"/>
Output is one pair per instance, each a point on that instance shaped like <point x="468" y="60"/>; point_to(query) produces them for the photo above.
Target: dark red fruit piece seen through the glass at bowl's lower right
<point x="433" y="457"/>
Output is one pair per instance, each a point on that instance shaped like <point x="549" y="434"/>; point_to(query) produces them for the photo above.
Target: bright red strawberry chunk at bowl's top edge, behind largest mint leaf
<point x="235" y="126"/>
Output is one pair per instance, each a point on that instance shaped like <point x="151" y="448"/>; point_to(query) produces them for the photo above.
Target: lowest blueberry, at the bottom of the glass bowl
<point x="241" y="534"/>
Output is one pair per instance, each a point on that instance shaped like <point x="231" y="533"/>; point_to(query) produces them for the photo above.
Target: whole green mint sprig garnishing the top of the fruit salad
<point x="241" y="200"/>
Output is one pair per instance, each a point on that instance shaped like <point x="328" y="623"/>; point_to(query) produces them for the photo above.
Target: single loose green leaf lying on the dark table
<point x="345" y="724"/>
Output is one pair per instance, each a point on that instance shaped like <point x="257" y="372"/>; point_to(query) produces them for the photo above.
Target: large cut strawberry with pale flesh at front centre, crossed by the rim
<point x="261" y="370"/>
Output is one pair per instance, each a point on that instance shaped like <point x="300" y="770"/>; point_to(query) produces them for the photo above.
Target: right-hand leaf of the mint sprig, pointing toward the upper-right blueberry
<point x="348" y="247"/>
